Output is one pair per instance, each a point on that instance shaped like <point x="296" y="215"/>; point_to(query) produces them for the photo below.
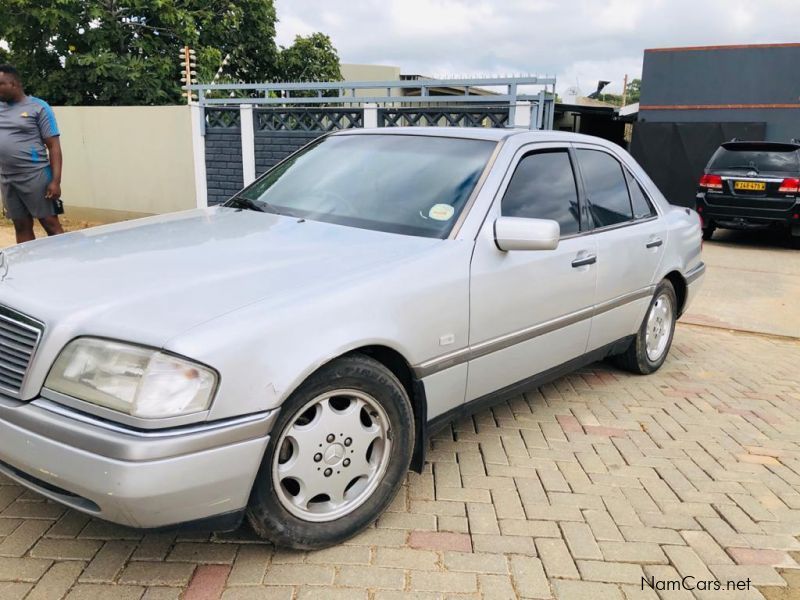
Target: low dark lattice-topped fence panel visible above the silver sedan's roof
<point x="447" y="116"/>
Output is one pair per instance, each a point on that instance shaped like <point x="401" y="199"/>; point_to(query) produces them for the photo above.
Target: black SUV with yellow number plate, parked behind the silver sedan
<point x="751" y="185"/>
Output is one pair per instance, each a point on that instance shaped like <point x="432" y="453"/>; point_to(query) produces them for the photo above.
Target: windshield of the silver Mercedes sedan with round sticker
<point x="407" y="184"/>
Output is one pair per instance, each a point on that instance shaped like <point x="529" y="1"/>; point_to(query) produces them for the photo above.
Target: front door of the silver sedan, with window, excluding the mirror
<point x="531" y="310"/>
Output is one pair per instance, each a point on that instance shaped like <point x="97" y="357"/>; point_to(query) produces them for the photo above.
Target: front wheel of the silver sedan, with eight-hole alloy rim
<point x="339" y="453"/>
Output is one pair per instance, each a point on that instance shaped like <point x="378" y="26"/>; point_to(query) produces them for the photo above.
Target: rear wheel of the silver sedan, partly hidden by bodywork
<point x="650" y="348"/>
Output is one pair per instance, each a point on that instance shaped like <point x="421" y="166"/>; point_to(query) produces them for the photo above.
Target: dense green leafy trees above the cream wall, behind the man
<point x="117" y="52"/>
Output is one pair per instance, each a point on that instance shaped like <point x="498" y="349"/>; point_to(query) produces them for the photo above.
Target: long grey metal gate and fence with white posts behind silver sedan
<point x="245" y="129"/>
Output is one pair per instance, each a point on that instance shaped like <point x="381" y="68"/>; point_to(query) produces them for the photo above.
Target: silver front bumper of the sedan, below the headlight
<point x="134" y="478"/>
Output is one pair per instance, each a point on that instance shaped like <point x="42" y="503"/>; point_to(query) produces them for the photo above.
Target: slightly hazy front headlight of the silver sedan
<point x="130" y="379"/>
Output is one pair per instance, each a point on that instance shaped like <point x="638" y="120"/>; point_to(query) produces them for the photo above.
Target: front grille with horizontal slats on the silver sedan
<point x="19" y="337"/>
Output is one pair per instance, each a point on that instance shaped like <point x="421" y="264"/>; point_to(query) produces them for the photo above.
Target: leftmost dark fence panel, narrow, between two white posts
<point x="223" y="141"/>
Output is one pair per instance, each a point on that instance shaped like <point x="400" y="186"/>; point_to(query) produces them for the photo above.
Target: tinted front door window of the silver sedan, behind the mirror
<point x="543" y="187"/>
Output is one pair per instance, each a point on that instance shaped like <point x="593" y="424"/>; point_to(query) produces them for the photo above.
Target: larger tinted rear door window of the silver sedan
<point x="605" y="187"/>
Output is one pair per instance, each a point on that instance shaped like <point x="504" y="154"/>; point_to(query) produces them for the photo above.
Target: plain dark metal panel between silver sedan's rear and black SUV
<point x="675" y="154"/>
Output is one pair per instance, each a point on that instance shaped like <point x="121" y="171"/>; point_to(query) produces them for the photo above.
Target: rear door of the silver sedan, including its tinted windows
<point x="630" y="238"/>
